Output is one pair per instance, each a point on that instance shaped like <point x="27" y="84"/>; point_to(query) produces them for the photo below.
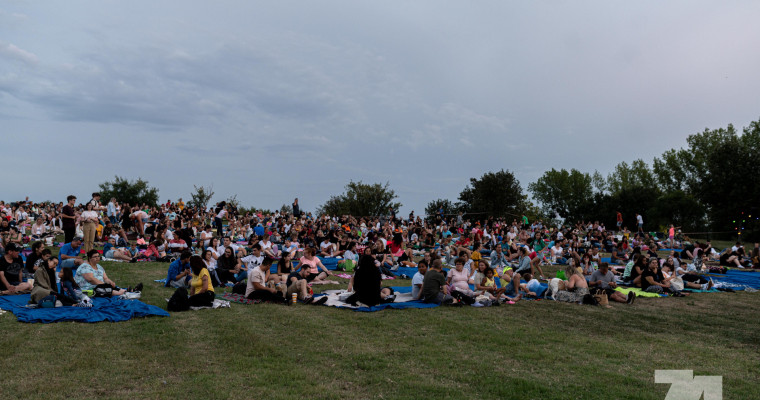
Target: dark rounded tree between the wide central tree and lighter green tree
<point x="496" y="194"/>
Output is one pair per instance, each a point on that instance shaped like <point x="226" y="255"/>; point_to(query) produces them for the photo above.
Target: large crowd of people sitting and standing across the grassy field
<point x="494" y="259"/>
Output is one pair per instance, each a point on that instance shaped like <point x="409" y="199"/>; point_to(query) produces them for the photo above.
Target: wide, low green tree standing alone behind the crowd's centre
<point x="361" y="199"/>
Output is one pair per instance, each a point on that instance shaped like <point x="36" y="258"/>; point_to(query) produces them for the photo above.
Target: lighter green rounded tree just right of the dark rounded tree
<point x="564" y="192"/>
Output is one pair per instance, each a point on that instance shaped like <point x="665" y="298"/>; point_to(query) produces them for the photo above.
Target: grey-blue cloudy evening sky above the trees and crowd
<point x="282" y="99"/>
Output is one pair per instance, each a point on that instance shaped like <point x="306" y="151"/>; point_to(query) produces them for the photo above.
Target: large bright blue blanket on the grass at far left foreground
<point x="112" y="310"/>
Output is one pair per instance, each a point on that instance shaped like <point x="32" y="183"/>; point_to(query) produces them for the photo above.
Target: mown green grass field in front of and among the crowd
<point x="530" y="350"/>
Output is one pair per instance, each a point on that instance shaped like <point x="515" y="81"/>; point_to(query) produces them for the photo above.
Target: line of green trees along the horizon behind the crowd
<point x="711" y="184"/>
